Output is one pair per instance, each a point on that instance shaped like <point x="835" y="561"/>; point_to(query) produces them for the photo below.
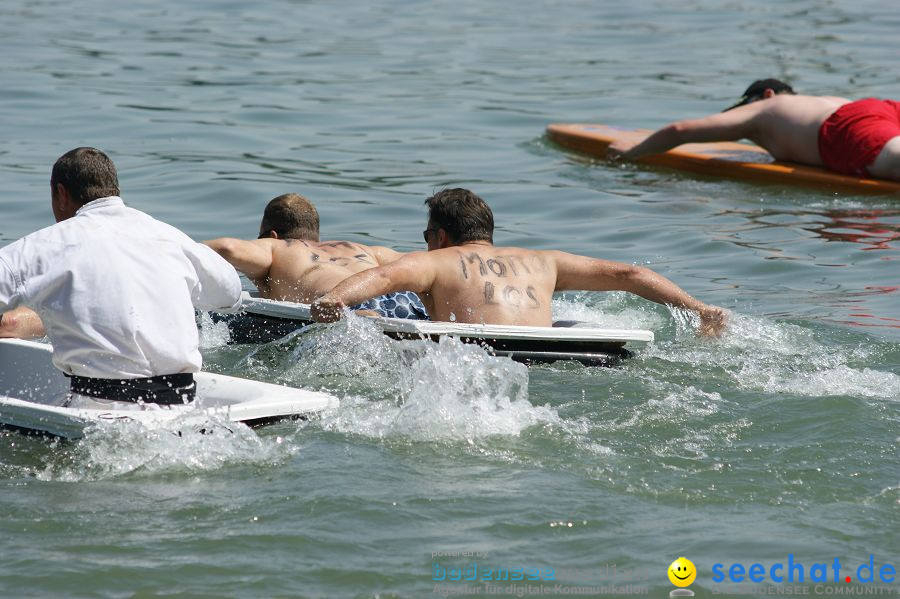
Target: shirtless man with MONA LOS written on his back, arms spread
<point x="464" y="278"/>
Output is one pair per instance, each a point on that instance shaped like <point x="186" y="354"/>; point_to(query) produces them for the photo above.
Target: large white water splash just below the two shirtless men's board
<point x="431" y="391"/>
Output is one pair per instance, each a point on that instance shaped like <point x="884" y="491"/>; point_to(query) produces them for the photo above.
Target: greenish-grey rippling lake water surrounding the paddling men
<point x="780" y="438"/>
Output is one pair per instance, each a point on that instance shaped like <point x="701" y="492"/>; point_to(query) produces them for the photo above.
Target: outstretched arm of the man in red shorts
<point x="732" y="125"/>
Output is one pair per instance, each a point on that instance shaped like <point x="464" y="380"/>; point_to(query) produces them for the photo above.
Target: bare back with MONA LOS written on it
<point x="480" y="283"/>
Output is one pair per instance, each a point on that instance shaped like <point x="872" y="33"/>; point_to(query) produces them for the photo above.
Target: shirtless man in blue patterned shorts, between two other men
<point x="288" y="262"/>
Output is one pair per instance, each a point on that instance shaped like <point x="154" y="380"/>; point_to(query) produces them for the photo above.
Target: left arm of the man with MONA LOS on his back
<point x="413" y="272"/>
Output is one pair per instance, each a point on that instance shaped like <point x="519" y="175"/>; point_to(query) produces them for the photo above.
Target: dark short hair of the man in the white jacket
<point x="87" y="174"/>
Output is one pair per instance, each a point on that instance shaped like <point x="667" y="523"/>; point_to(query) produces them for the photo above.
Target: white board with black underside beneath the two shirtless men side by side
<point x="581" y="341"/>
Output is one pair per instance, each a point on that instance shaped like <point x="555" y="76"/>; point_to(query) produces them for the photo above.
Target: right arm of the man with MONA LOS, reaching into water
<point x="591" y="274"/>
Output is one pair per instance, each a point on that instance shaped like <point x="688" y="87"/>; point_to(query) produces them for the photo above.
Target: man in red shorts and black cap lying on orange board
<point x="860" y="138"/>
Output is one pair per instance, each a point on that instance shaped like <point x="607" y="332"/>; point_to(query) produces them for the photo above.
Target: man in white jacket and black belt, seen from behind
<point x="115" y="290"/>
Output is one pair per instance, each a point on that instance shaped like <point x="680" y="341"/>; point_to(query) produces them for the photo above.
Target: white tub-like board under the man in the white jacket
<point x="30" y="384"/>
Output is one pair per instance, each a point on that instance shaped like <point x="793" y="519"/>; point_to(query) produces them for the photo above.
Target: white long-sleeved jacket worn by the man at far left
<point x="116" y="291"/>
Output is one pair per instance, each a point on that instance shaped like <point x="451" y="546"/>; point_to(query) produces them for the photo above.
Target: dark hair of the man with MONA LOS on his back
<point x="461" y="213"/>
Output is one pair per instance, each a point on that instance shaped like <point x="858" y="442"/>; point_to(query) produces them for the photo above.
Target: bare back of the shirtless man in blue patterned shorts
<point x="301" y="271"/>
